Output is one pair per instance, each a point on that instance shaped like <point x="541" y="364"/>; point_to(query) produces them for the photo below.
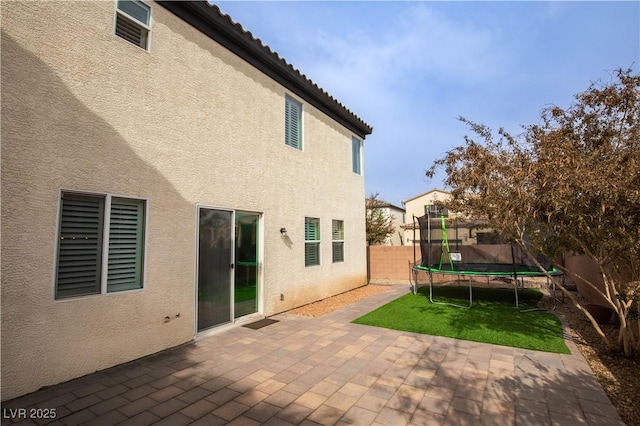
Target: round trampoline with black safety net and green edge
<point x="491" y="258"/>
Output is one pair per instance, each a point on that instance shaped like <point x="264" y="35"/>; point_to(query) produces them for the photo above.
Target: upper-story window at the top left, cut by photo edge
<point x="133" y="22"/>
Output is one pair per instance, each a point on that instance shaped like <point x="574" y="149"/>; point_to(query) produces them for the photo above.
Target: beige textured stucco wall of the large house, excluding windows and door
<point x="184" y="124"/>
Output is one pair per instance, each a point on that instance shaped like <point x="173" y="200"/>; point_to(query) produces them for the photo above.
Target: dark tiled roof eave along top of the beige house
<point x="209" y="20"/>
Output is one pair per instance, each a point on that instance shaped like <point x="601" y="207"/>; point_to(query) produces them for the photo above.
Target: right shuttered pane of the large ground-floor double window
<point x="125" y="245"/>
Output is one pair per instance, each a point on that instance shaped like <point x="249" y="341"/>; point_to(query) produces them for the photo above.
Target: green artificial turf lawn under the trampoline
<point x="493" y="317"/>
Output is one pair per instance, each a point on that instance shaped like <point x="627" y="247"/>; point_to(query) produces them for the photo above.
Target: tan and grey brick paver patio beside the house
<point x="328" y="371"/>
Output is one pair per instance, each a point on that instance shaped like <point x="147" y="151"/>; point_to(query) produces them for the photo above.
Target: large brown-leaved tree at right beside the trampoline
<point x="568" y="184"/>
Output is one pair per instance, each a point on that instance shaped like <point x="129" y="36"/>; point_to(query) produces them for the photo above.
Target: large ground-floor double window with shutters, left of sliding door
<point x="90" y="250"/>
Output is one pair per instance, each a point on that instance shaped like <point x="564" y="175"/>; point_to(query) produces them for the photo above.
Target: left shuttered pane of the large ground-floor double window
<point x="79" y="246"/>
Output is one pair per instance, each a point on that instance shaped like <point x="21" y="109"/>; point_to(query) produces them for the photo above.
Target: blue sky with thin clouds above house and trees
<point x="410" y="69"/>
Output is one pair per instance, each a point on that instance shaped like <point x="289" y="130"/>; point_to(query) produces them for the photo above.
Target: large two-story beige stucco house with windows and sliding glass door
<point x="164" y="175"/>
